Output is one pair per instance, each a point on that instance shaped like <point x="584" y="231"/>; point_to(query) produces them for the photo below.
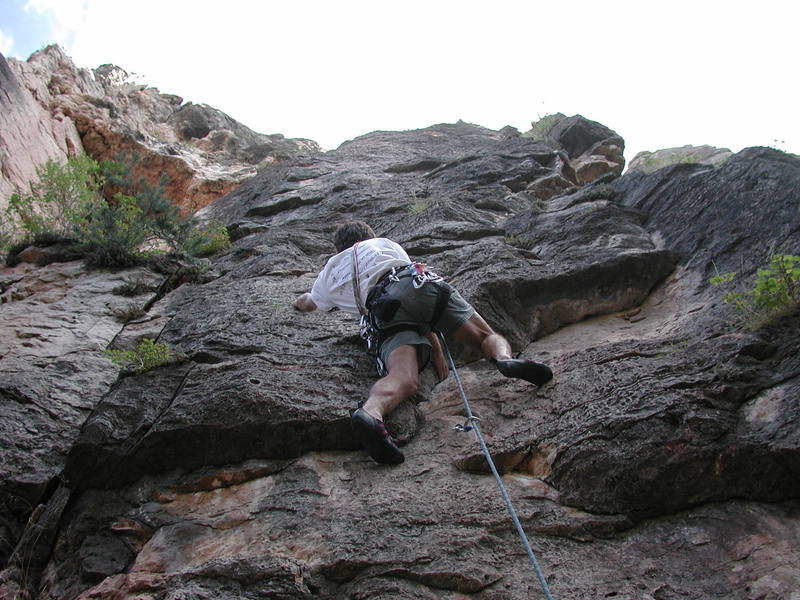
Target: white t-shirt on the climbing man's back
<point x="334" y="284"/>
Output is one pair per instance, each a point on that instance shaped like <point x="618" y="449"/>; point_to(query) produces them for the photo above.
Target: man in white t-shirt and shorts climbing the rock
<point x="402" y="305"/>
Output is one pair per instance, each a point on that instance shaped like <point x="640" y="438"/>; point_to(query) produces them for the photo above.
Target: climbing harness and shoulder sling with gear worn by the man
<point x="382" y="307"/>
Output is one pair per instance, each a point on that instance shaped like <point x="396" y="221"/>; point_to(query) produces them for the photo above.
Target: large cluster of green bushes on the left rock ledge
<point x="67" y="204"/>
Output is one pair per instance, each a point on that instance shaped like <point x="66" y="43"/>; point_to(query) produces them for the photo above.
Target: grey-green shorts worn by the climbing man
<point x="416" y="308"/>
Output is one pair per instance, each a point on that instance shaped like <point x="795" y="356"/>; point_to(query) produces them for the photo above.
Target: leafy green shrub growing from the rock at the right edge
<point x="776" y="291"/>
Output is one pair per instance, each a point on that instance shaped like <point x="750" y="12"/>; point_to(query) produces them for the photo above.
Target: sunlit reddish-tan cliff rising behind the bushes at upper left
<point x="204" y="153"/>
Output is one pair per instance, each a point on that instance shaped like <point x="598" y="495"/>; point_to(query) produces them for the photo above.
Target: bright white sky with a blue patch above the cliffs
<point x="660" y="74"/>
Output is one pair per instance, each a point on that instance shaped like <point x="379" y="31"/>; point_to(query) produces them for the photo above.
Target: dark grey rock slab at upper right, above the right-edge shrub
<point x="729" y="218"/>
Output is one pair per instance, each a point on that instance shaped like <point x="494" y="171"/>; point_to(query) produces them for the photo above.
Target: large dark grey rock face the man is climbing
<point x="663" y="460"/>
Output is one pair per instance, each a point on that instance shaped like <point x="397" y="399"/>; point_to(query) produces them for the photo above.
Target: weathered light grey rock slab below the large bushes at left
<point x="56" y="322"/>
